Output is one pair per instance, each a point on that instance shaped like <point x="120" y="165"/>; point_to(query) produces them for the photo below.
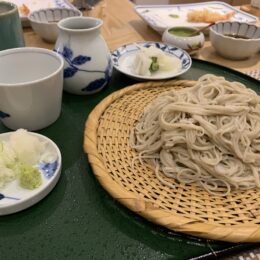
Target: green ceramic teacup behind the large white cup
<point x="11" y="33"/>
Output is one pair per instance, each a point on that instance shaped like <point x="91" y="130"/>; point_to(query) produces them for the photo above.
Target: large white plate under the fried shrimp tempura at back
<point x="161" y="17"/>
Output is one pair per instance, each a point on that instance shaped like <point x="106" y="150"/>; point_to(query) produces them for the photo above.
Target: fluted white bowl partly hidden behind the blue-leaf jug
<point x="44" y="21"/>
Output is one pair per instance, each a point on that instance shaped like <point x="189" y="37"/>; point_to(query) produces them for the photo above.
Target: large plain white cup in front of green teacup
<point x="31" y="85"/>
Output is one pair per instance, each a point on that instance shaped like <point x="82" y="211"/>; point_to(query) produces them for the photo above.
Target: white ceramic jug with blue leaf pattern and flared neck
<point x="88" y="65"/>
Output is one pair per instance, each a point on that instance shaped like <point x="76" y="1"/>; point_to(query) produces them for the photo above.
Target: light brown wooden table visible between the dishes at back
<point x="122" y="25"/>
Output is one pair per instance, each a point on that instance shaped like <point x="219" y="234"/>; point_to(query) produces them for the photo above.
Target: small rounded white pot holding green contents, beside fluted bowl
<point x="191" y="44"/>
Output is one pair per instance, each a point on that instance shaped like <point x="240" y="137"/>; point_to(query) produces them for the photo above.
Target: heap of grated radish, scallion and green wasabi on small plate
<point x="18" y="159"/>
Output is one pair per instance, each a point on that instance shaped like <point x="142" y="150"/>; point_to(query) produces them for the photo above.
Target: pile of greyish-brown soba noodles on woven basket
<point x="208" y="134"/>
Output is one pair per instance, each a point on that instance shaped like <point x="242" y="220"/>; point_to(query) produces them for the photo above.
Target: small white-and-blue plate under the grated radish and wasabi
<point x="14" y="198"/>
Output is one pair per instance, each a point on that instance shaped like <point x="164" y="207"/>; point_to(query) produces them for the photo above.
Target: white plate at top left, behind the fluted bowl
<point x="34" y="5"/>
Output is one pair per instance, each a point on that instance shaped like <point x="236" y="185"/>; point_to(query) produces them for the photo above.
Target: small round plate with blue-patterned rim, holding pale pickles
<point x="123" y="60"/>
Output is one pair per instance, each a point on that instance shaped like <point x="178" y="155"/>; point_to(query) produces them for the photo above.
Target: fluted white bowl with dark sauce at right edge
<point x="222" y="36"/>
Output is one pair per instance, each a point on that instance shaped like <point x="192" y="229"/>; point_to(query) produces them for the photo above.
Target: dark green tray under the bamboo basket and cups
<point x="79" y="220"/>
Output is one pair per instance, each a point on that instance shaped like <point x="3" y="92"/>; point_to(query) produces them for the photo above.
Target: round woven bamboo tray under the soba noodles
<point x="187" y="208"/>
